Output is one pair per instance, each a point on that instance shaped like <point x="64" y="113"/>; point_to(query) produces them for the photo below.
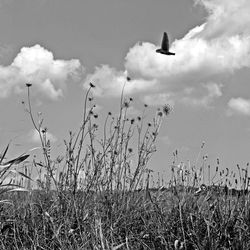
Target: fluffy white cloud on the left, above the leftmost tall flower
<point x="38" y="66"/>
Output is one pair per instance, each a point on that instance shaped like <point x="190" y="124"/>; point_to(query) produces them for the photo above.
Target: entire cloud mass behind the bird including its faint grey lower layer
<point x="218" y="47"/>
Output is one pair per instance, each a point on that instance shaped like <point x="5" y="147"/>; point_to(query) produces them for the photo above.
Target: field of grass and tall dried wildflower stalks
<point x="95" y="198"/>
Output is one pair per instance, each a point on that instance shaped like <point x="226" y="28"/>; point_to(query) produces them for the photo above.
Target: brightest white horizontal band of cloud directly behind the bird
<point x="193" y="56"/>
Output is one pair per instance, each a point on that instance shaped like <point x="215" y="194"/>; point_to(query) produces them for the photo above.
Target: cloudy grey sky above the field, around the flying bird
<point x="60" y="46"/>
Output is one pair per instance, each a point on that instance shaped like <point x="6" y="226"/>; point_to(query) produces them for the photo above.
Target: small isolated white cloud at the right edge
<point x="239" y="105"/>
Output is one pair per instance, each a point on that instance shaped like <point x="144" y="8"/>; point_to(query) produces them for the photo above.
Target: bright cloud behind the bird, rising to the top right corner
<point x="220" y="45"/>
